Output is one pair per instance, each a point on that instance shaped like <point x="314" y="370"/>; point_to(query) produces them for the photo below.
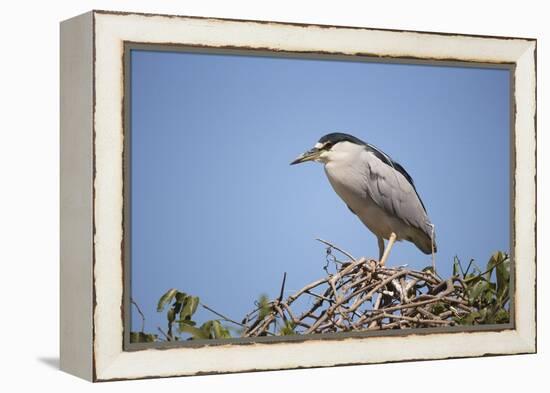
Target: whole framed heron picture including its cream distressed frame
<point x="403" y="228"/>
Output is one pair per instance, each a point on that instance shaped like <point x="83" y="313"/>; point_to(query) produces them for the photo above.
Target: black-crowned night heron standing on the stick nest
<point x="376" y="189"/>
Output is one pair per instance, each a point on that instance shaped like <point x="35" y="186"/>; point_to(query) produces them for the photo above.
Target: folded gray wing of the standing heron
<point x="393" y="191"/>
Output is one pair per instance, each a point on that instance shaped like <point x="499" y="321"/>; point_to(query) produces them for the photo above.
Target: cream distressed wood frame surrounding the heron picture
<point x="92" y="189"/>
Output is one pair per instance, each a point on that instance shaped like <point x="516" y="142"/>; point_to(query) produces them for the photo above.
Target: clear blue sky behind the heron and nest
<point x="218" y="212"/>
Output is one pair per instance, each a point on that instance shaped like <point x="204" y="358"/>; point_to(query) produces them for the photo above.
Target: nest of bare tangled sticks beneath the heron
<point x="358" y="295"/>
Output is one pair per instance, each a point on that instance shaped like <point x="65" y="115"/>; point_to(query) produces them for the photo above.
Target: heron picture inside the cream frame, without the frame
<point x="284" y="197"/>
